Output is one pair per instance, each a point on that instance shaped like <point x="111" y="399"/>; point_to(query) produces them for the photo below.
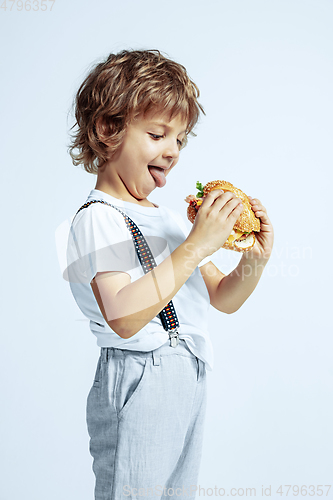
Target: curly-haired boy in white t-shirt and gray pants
<point x="146" y="408"/>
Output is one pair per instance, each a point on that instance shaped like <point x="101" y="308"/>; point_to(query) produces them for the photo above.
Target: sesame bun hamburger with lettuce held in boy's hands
<point x="242" y="237"/>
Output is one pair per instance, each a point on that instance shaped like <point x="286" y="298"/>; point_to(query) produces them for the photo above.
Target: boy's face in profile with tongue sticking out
<point x="152" y="140"/>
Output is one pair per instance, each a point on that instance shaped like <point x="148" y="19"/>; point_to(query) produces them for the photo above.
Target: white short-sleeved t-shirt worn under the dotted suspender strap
<point x="99" y="240"/>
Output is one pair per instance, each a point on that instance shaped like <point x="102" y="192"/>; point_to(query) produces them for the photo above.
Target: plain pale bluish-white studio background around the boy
<point x="264" y="69"/>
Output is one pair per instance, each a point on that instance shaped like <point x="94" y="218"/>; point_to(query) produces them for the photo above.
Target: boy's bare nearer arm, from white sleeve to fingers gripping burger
<point x="127" y="307"/>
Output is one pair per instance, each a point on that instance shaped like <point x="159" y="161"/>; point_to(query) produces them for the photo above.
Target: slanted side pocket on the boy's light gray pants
<point x="133" y="374"/>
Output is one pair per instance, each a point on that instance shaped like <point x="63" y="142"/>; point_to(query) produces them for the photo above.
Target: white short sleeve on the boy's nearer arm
<point x="99" y="241"/>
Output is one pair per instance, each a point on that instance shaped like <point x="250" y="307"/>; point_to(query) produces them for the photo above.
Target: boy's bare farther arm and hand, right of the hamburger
<point x="228" y="293"/>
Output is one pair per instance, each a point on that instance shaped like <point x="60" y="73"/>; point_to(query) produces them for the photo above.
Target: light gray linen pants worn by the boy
<point x="145" y="418"/>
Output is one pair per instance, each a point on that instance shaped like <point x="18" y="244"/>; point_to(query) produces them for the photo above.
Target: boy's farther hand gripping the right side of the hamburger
<point x="264" y="239"/>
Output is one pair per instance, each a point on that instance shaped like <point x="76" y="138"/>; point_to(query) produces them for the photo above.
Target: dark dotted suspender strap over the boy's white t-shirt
<point x="168" y="315"/>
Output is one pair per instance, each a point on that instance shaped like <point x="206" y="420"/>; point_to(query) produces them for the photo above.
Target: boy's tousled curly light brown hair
<point x="122" y="87"/>
